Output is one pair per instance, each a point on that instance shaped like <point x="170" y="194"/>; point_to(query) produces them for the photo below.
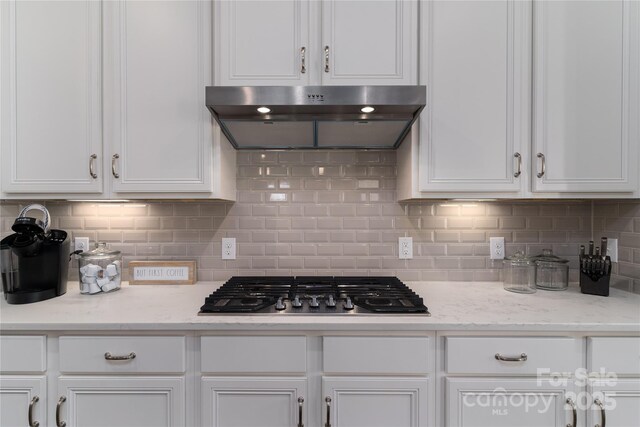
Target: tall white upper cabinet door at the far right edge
<point x="586" y="95"/>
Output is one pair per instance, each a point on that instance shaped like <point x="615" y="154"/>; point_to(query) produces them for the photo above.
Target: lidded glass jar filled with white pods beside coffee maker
<point x="100" y="270"/>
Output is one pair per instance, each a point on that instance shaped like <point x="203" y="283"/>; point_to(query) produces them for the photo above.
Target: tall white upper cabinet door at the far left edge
<point x="51" y="106"/>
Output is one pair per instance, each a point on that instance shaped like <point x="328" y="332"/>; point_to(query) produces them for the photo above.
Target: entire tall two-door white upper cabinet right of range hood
<point x="526" y="100"/>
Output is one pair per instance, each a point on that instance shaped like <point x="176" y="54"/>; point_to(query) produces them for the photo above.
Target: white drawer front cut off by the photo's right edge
<point x="620" y="354"/>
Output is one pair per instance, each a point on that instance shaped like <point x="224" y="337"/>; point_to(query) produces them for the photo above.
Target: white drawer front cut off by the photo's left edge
<point x="23" y="353"/>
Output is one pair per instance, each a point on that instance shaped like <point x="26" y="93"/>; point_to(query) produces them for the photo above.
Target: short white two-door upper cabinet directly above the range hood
<point x="304" y="42"/>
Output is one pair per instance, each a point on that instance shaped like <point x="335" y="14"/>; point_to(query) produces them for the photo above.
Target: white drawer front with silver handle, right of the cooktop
<point x="478" y="355"/>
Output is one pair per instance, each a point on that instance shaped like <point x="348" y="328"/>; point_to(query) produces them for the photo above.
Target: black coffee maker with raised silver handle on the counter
<point x="34" y="261"/>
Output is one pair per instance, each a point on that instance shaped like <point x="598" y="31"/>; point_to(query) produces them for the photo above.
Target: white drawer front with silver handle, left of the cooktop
<point x="138" y="354"/>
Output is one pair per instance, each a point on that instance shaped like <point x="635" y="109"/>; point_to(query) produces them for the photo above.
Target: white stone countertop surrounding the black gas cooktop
<point x="453" y="306"/>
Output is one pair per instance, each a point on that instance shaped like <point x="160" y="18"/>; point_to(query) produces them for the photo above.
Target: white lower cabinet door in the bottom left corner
<point x="21" y="396"/>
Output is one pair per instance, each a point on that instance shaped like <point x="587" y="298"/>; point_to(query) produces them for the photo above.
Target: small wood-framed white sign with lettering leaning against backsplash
<point x="162" y="272"/>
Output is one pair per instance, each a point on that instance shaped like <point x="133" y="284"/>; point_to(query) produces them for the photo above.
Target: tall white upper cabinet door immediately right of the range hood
<point x="475" y="58"/>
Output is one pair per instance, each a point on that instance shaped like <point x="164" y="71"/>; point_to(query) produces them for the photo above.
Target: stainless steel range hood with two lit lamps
<point x="303" y="117"/>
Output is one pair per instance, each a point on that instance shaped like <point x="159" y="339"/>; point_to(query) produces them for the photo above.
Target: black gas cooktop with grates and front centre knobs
<point x="314" y="295"/>
